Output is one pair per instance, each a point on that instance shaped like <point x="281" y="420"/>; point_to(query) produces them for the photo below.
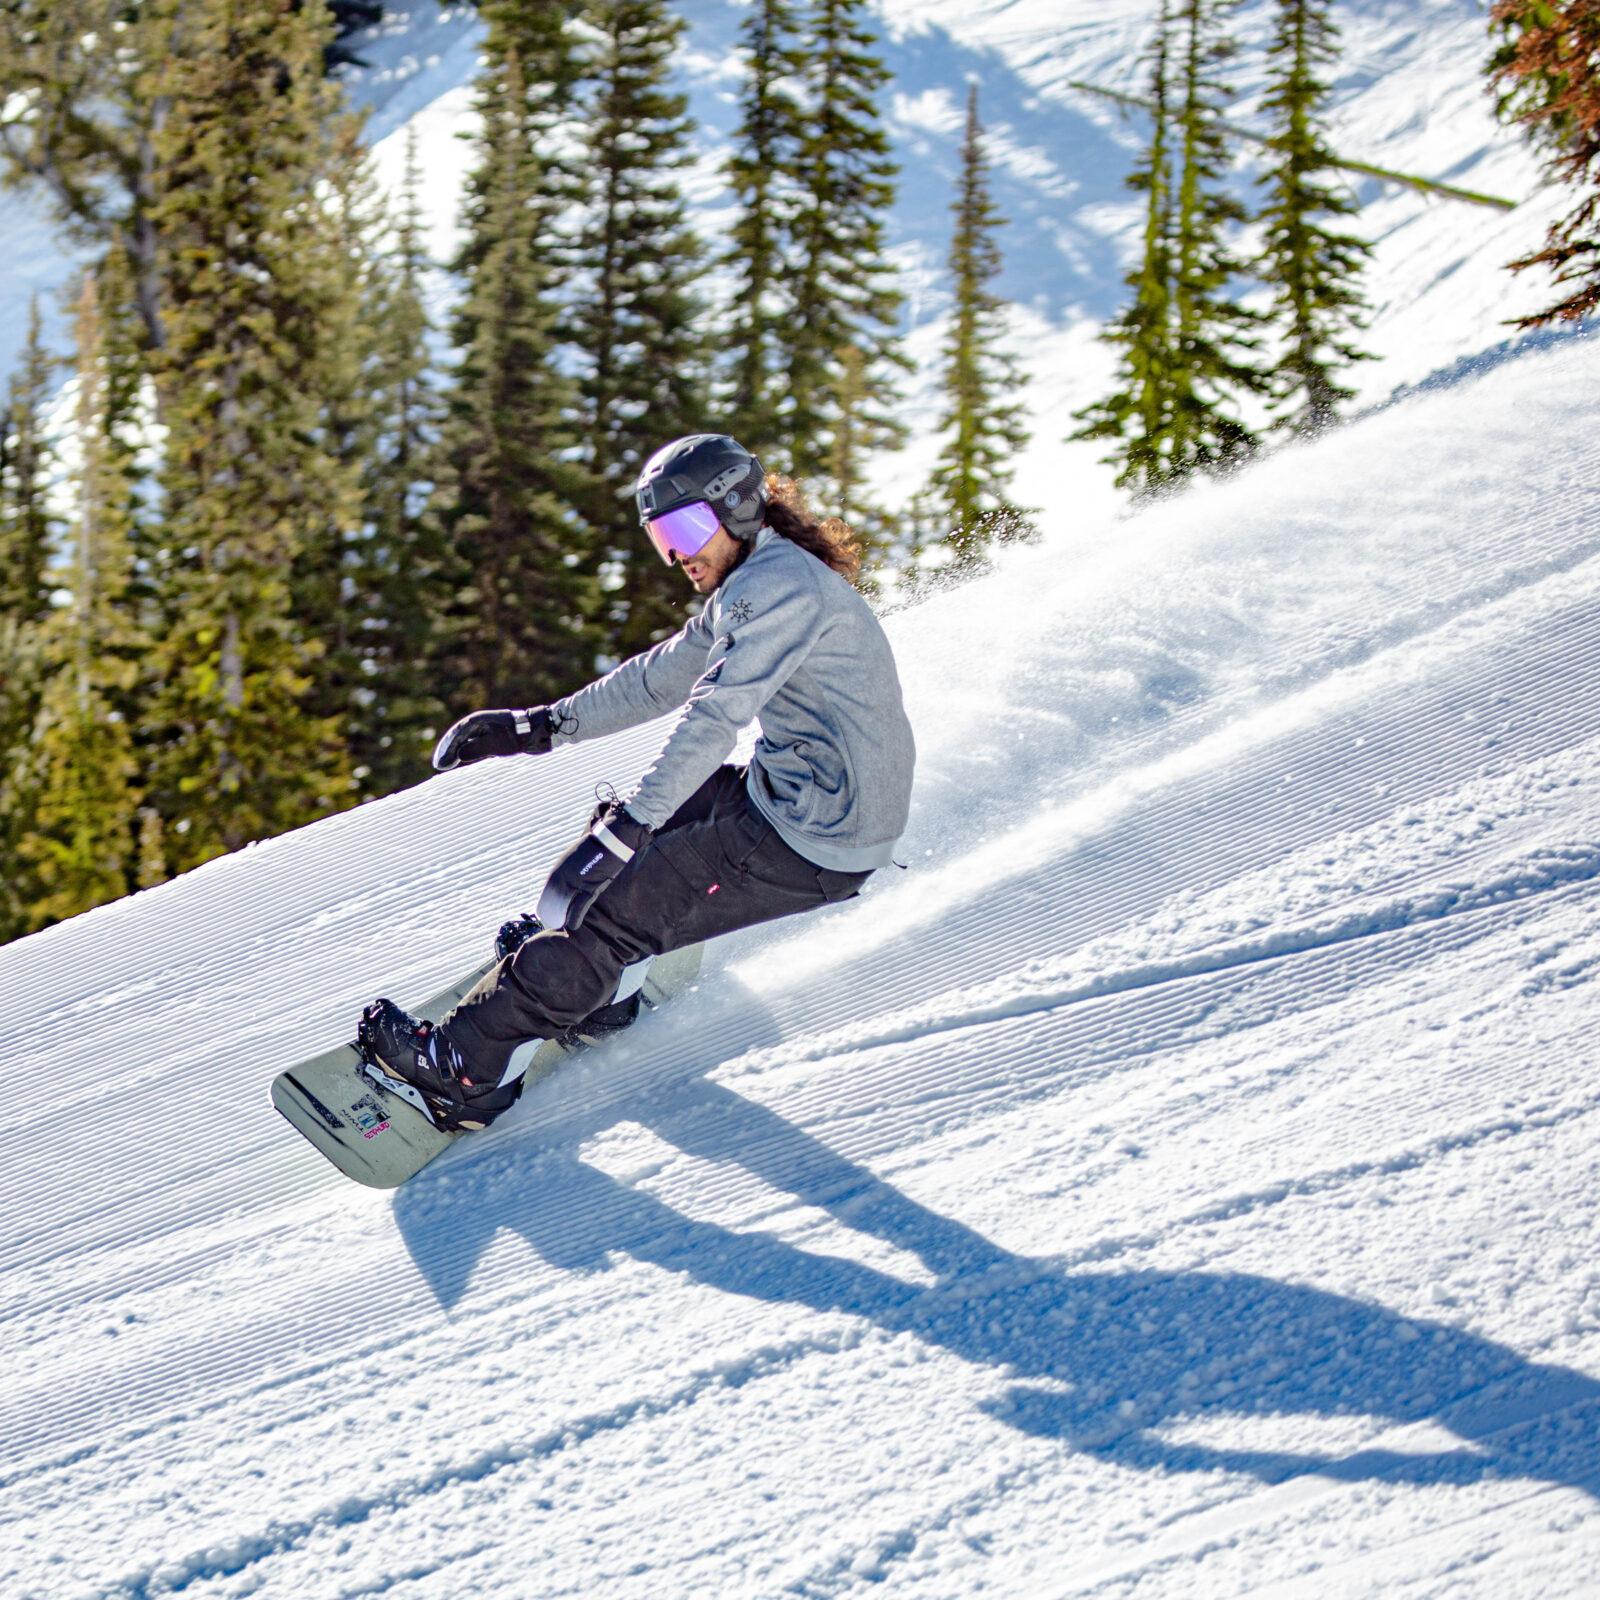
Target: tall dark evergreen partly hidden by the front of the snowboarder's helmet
<point x="638" y="314"/>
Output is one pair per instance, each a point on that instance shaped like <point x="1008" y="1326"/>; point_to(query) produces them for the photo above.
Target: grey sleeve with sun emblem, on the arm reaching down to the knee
<point x="761" y="636"/>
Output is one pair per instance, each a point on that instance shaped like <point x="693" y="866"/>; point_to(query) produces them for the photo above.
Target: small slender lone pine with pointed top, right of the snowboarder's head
<point x="982" y="380"/>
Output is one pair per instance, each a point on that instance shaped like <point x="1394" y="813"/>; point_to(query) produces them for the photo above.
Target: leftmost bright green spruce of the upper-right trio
<point x="1140" y="414"/>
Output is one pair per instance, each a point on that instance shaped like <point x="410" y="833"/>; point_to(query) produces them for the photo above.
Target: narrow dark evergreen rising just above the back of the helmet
<point x="761" y="174"/>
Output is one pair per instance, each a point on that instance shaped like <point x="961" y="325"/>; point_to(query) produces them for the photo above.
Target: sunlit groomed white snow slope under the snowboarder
<point x="1182" y="1182"/>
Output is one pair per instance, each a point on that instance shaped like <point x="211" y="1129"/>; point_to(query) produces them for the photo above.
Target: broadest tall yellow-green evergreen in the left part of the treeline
<point x="252" y="286"/>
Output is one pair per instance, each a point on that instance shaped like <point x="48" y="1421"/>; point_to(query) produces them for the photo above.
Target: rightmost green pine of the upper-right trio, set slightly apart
<point x="1313" y="270"/>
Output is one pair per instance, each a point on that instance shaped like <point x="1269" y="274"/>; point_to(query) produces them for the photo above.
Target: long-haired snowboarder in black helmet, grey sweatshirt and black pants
<point x="700" y="847"/>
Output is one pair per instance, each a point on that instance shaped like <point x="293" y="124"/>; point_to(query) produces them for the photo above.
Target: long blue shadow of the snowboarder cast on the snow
<point x="1122" y="1364"/>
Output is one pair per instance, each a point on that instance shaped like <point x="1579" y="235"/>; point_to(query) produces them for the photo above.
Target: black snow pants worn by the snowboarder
<point x="716" y="866"/>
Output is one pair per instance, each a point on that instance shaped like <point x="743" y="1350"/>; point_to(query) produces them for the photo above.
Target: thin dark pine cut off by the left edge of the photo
<point x="26" y="548"/>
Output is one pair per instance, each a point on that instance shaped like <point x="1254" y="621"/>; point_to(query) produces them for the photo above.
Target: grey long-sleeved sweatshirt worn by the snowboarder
<point x="788" y="641"/>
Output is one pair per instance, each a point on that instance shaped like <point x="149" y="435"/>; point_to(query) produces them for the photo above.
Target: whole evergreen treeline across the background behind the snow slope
<point x="290" y="529"/>
